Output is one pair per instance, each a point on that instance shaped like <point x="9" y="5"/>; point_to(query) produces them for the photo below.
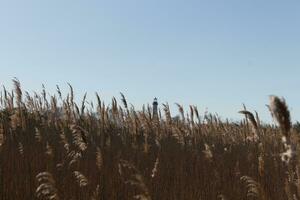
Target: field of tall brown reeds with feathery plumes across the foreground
<point x="54" y="148"/>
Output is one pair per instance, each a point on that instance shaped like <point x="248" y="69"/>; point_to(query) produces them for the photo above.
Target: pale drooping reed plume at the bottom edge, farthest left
<point x="46" y="189"/>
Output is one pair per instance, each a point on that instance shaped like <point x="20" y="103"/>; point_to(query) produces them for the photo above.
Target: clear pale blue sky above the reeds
<point x="215" y="54"/>
